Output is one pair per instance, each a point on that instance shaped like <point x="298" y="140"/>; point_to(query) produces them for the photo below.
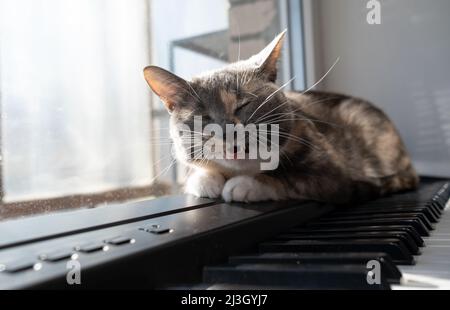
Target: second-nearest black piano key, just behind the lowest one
<point x="392" y="272"/>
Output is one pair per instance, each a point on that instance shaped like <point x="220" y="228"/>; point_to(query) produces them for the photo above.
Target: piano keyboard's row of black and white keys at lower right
<point x="408" y="234"/>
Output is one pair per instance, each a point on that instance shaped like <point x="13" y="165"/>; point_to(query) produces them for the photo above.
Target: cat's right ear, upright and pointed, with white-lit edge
<point x="268" y="58"/>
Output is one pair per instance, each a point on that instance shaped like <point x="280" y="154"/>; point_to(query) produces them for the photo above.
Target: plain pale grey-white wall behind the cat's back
<point x="401" y="65"/>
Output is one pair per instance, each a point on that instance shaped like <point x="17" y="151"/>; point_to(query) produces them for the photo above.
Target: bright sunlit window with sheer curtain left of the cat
<point x="79" y="125"/>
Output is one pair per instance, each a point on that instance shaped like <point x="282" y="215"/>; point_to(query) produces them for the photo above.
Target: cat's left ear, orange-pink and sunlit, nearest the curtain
<point x="169" y="87"/>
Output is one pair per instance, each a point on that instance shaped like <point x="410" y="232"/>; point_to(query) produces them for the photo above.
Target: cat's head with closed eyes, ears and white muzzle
<point x="241" y="93"/>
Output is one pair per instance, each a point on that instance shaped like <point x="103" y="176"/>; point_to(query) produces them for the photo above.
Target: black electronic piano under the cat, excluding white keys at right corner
<point x="186" y="243"/>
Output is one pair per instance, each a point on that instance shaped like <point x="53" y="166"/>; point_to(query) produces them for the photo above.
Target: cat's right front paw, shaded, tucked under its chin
<point x="247" y="189"/>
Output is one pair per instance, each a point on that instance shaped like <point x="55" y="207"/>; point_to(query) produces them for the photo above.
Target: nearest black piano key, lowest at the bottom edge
<point x="294" y="277"/>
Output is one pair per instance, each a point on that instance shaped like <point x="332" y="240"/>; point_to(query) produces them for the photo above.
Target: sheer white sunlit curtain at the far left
<point x="75" y="113"/>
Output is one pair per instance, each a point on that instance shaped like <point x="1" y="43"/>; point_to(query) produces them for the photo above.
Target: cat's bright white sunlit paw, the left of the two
<point x="204" y="184"/>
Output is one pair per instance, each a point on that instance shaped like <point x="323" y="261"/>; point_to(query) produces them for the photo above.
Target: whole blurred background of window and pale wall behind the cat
<point x="79" y="124"/>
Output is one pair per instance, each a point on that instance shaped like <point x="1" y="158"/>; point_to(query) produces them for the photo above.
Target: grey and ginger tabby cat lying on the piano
<point x="333" y="148"/>
